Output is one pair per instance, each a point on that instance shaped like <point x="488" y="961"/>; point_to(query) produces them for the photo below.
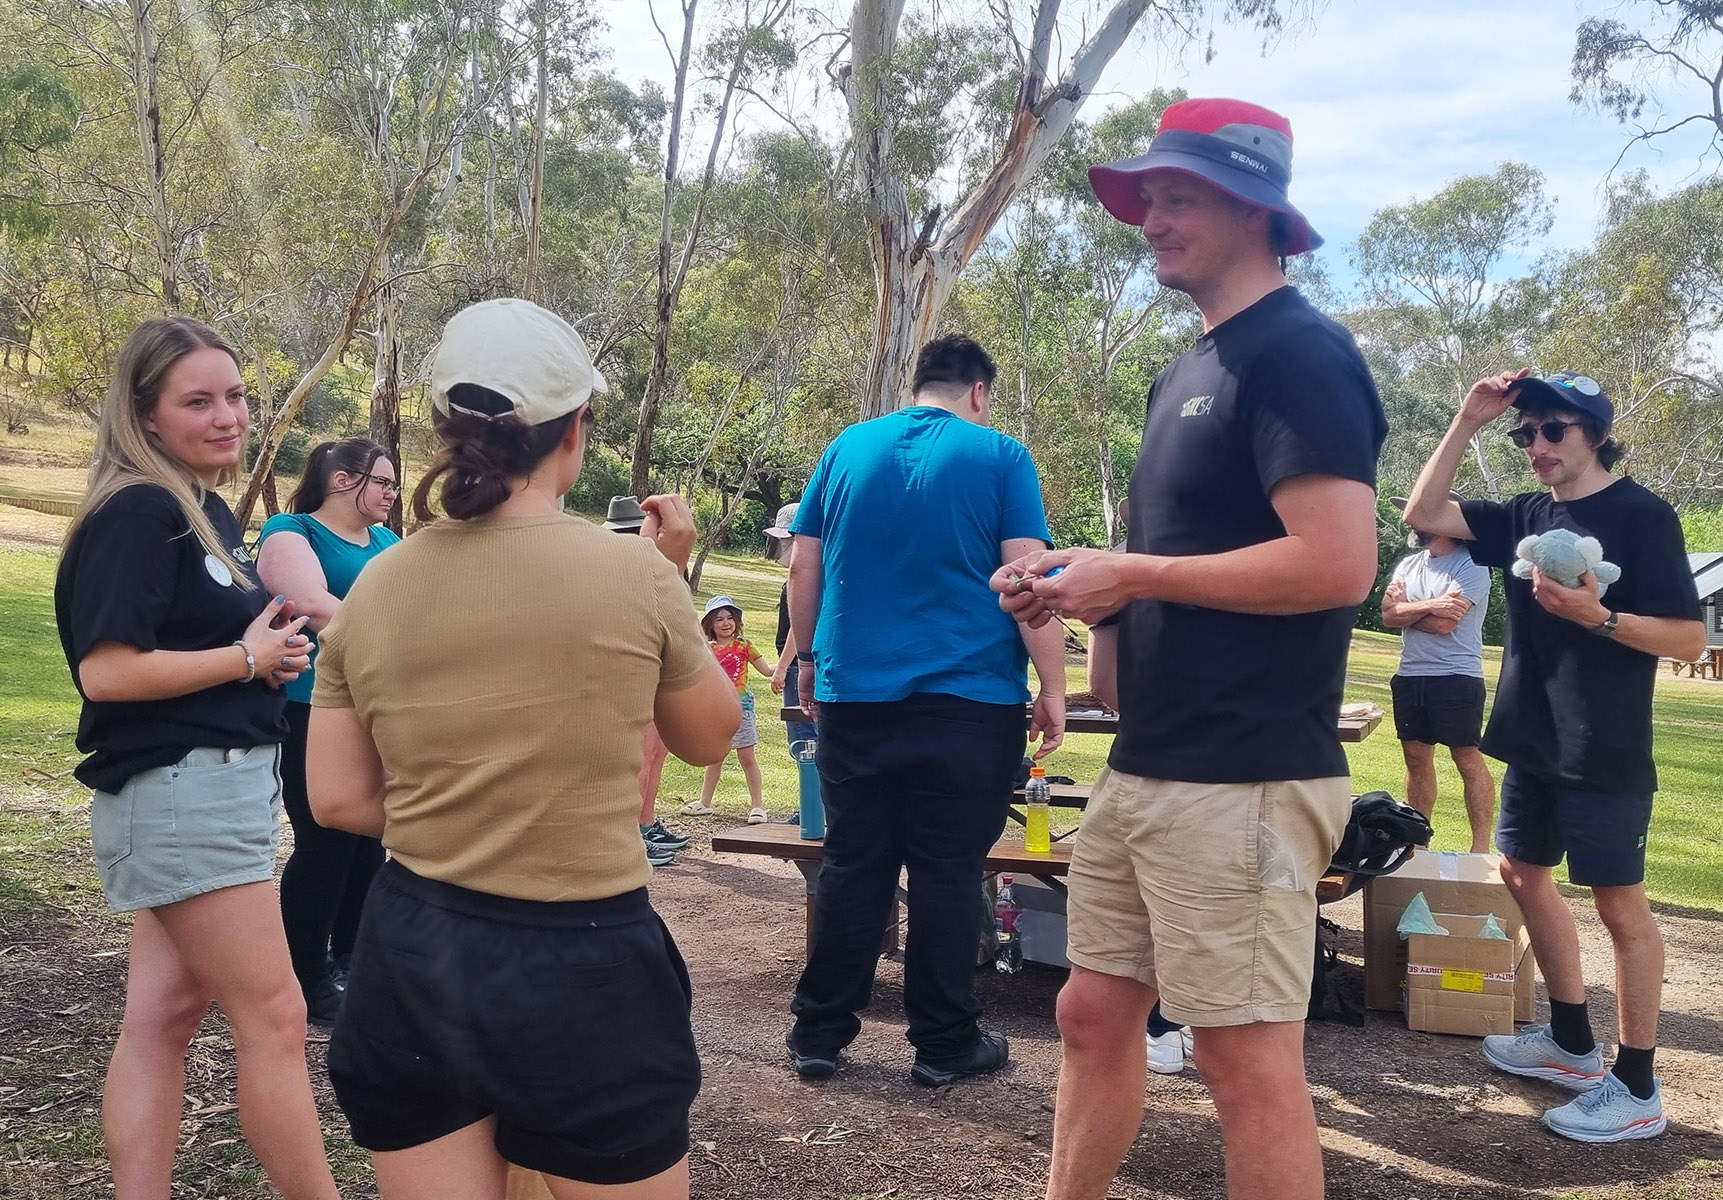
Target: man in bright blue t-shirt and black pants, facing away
<point x="919" y="685"/>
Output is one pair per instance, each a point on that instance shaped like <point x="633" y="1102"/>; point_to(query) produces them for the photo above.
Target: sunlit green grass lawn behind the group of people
<point x="39" y="716"/>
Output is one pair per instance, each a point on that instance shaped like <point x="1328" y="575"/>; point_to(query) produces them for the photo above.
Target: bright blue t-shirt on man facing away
<point x="911" y="511"/>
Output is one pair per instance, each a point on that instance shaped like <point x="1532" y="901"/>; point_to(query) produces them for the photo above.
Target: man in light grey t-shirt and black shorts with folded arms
<point x="1438" y="599"/>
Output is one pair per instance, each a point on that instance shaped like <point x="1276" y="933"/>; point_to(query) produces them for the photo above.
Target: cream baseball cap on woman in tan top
<point x="528" y="356"/>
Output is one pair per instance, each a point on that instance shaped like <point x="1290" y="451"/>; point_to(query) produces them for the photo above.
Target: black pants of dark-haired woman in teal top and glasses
<point x="325" y="884"/>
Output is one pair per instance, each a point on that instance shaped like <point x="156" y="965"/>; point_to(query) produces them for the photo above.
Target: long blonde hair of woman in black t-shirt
<point x="128" y="453"/>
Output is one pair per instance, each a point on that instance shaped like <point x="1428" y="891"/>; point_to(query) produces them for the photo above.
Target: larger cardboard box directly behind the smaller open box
<point x="1459" y="884"/>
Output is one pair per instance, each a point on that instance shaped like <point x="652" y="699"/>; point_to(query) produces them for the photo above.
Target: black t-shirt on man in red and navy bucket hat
<point x="1228" y="697"/>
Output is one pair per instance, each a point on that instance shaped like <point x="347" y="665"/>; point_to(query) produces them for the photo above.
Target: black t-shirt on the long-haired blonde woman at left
<point x="137" y="575"/>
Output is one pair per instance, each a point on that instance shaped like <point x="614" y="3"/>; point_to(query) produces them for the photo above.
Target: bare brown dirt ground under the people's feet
<point x="1403" y="1115"/>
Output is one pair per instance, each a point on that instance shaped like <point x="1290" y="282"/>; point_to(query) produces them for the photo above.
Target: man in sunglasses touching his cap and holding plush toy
<point x="1572" y="722"/>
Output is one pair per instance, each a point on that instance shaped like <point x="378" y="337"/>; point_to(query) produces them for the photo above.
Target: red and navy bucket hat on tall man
<point x="1240" y="147"/>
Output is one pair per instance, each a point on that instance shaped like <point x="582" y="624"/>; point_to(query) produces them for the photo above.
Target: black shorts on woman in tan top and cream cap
<point x="568" y="1022"/>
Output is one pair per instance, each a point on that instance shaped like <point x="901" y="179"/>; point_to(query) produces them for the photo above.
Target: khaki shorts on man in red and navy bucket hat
<point x="1205" y="892"/>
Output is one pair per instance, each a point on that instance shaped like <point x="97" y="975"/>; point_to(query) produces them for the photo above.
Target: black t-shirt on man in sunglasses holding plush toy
<point x="1574" y="706"/>
